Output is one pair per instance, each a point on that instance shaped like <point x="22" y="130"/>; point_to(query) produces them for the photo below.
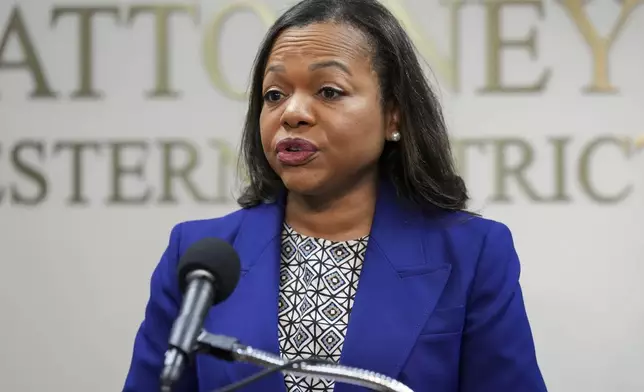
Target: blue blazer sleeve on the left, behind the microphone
<point x="151" y="341"/>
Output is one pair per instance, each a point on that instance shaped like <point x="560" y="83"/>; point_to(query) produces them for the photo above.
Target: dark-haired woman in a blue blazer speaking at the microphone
<point x="354" y="238"/>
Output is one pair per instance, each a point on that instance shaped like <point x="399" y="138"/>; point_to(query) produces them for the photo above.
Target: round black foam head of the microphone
<point x="216" y="257"/>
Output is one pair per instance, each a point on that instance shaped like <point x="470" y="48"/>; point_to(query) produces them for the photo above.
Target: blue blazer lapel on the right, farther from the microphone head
<point x="398" y="289"/>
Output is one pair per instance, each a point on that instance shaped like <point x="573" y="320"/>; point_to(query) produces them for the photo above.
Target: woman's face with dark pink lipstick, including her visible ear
<point x="322" y="125"/>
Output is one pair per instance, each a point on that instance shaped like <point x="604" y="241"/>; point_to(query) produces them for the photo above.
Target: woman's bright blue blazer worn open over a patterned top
<point x="438" y="307"/>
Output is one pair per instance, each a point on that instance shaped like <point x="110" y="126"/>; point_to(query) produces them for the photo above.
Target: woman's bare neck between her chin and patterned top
<point x="340" y="217"/>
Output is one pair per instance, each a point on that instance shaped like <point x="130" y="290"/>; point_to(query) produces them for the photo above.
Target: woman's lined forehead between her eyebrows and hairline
<point x="321" y="40"/>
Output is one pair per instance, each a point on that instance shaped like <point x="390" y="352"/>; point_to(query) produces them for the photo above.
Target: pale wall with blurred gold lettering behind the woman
<point x="119" y="119"/>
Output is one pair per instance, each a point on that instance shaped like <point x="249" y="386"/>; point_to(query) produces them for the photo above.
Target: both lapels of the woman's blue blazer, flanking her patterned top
<point x="398" y="289"/>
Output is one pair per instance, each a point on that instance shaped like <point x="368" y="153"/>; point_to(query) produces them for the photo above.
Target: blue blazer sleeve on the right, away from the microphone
<point x="498" y="352"/>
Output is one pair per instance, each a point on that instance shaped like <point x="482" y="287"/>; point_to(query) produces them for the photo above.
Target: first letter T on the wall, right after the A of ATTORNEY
<point x="85" y="43"/>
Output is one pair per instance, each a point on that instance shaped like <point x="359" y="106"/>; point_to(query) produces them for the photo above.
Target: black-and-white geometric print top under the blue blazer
<point x="318" y="284"/>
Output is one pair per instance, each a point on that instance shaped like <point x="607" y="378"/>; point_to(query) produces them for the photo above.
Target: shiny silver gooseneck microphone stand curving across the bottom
<point x="230" y="349"/>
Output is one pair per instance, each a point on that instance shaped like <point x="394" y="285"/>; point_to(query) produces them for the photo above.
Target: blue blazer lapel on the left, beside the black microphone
<point x="250" y="314"/>
